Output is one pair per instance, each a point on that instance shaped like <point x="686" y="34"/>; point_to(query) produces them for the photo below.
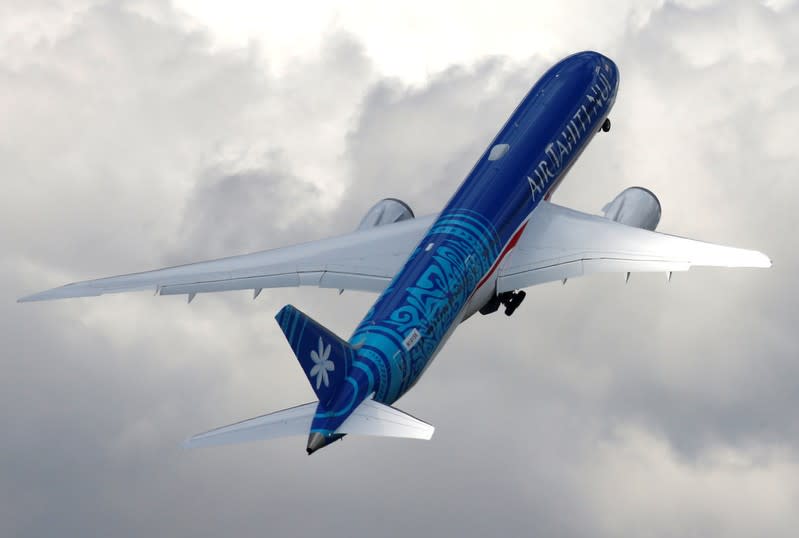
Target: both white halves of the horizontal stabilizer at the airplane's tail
<point x="370" y="418"/>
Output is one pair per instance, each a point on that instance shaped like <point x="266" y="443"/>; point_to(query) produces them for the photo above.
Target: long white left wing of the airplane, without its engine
<point x="365" y="260"/>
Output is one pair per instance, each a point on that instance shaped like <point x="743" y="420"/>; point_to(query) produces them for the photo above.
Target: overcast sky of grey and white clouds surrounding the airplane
<point x="135" y="135"/>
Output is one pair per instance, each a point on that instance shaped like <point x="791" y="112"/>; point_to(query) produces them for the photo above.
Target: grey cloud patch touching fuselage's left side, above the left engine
<point x="434" y="133"/>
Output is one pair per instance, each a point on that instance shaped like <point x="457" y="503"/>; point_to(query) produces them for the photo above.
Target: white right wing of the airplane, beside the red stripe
<point x="562" y="243"/>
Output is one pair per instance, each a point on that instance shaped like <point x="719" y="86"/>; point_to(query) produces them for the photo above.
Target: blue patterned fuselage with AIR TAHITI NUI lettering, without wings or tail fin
<point x="452" y="272"/>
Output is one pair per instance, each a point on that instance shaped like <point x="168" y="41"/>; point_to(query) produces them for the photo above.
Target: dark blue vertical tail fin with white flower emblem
<point x="325" y="358"/>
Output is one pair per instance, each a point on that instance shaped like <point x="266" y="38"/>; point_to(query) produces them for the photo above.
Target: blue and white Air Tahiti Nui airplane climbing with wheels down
<point x="497" y="235"/>
